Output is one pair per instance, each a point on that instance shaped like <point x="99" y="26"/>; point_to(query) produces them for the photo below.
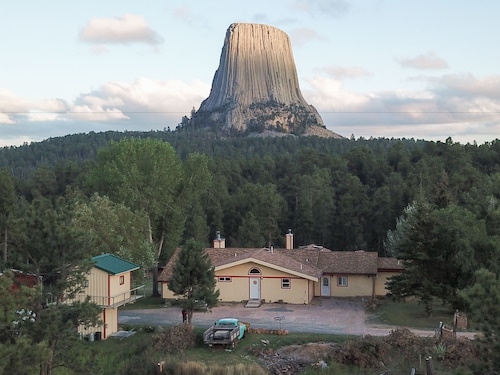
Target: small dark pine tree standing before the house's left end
<point x="193" y="278"/>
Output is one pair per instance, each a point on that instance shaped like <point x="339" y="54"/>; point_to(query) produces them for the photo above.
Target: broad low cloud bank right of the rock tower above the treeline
<point x="459" y="106"/>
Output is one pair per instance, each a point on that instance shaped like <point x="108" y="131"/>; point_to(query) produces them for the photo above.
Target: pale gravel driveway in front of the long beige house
<point x="323" y="315"/>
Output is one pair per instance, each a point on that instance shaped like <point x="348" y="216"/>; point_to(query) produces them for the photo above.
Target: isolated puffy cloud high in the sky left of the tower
<point x="128" y="29"/>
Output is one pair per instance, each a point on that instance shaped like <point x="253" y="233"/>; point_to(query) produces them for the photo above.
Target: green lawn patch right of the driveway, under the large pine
<point x="410" y="314"/>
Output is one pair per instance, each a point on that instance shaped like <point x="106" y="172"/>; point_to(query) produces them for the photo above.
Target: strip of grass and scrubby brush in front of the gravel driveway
<point x="257" y="354"/>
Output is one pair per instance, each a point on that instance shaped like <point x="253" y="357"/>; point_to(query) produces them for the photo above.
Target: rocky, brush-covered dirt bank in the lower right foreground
<point x="370" y="352"/>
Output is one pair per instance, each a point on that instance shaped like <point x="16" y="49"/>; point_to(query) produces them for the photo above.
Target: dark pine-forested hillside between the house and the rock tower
<point x="343" y="194"/>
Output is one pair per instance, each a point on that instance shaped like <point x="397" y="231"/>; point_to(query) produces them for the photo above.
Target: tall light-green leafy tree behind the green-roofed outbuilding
<point x="147" y="175"/>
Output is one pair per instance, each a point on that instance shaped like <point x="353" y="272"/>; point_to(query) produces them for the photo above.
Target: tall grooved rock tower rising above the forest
<point x="256" y="87"/>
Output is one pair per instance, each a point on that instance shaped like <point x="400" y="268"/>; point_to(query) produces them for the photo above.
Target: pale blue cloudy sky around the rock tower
<point x="372" y="68"/>
